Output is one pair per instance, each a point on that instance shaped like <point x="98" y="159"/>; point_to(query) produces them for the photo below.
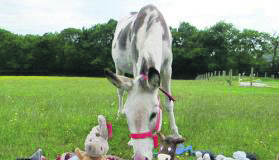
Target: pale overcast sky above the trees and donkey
<point x="41" y="16"/>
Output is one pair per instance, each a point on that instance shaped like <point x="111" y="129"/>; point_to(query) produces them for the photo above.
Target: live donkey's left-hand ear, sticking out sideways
<point x="121" y="82"/>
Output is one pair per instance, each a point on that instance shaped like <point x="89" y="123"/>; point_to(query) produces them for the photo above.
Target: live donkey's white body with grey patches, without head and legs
<point x="142" y="35"/>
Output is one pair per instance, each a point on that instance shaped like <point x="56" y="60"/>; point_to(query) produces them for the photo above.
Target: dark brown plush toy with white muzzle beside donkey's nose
<point x="168" y="147"/>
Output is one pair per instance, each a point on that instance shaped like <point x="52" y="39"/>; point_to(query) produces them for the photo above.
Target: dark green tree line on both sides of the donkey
<point x="87" y="51"/>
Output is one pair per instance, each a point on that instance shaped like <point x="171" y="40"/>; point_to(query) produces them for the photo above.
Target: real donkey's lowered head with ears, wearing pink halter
<point x="141" y="108"/>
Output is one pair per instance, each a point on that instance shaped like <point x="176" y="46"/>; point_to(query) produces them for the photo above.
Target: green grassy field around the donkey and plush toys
<point x="57" y="113"/>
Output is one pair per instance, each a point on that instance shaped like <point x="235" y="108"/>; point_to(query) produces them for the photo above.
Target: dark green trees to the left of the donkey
<point x="72" y="51"/>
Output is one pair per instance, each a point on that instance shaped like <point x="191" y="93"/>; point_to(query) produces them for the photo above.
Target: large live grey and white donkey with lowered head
<point x="142" y="47"/>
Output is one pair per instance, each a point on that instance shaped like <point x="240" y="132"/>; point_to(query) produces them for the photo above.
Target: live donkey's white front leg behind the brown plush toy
<point x="166" y="82"/>
